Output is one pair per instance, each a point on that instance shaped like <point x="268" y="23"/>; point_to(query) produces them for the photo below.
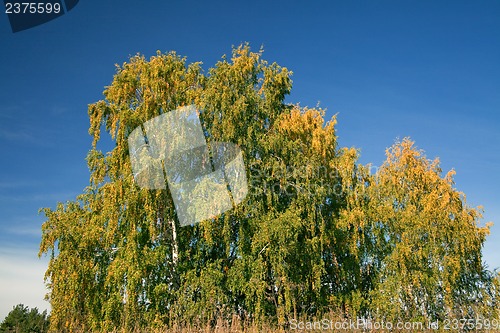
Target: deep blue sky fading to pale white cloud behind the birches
<point x="425" y="69"/>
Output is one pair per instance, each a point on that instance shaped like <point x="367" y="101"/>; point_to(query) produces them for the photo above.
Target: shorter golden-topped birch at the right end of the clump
<point x="421" y="243"/>
